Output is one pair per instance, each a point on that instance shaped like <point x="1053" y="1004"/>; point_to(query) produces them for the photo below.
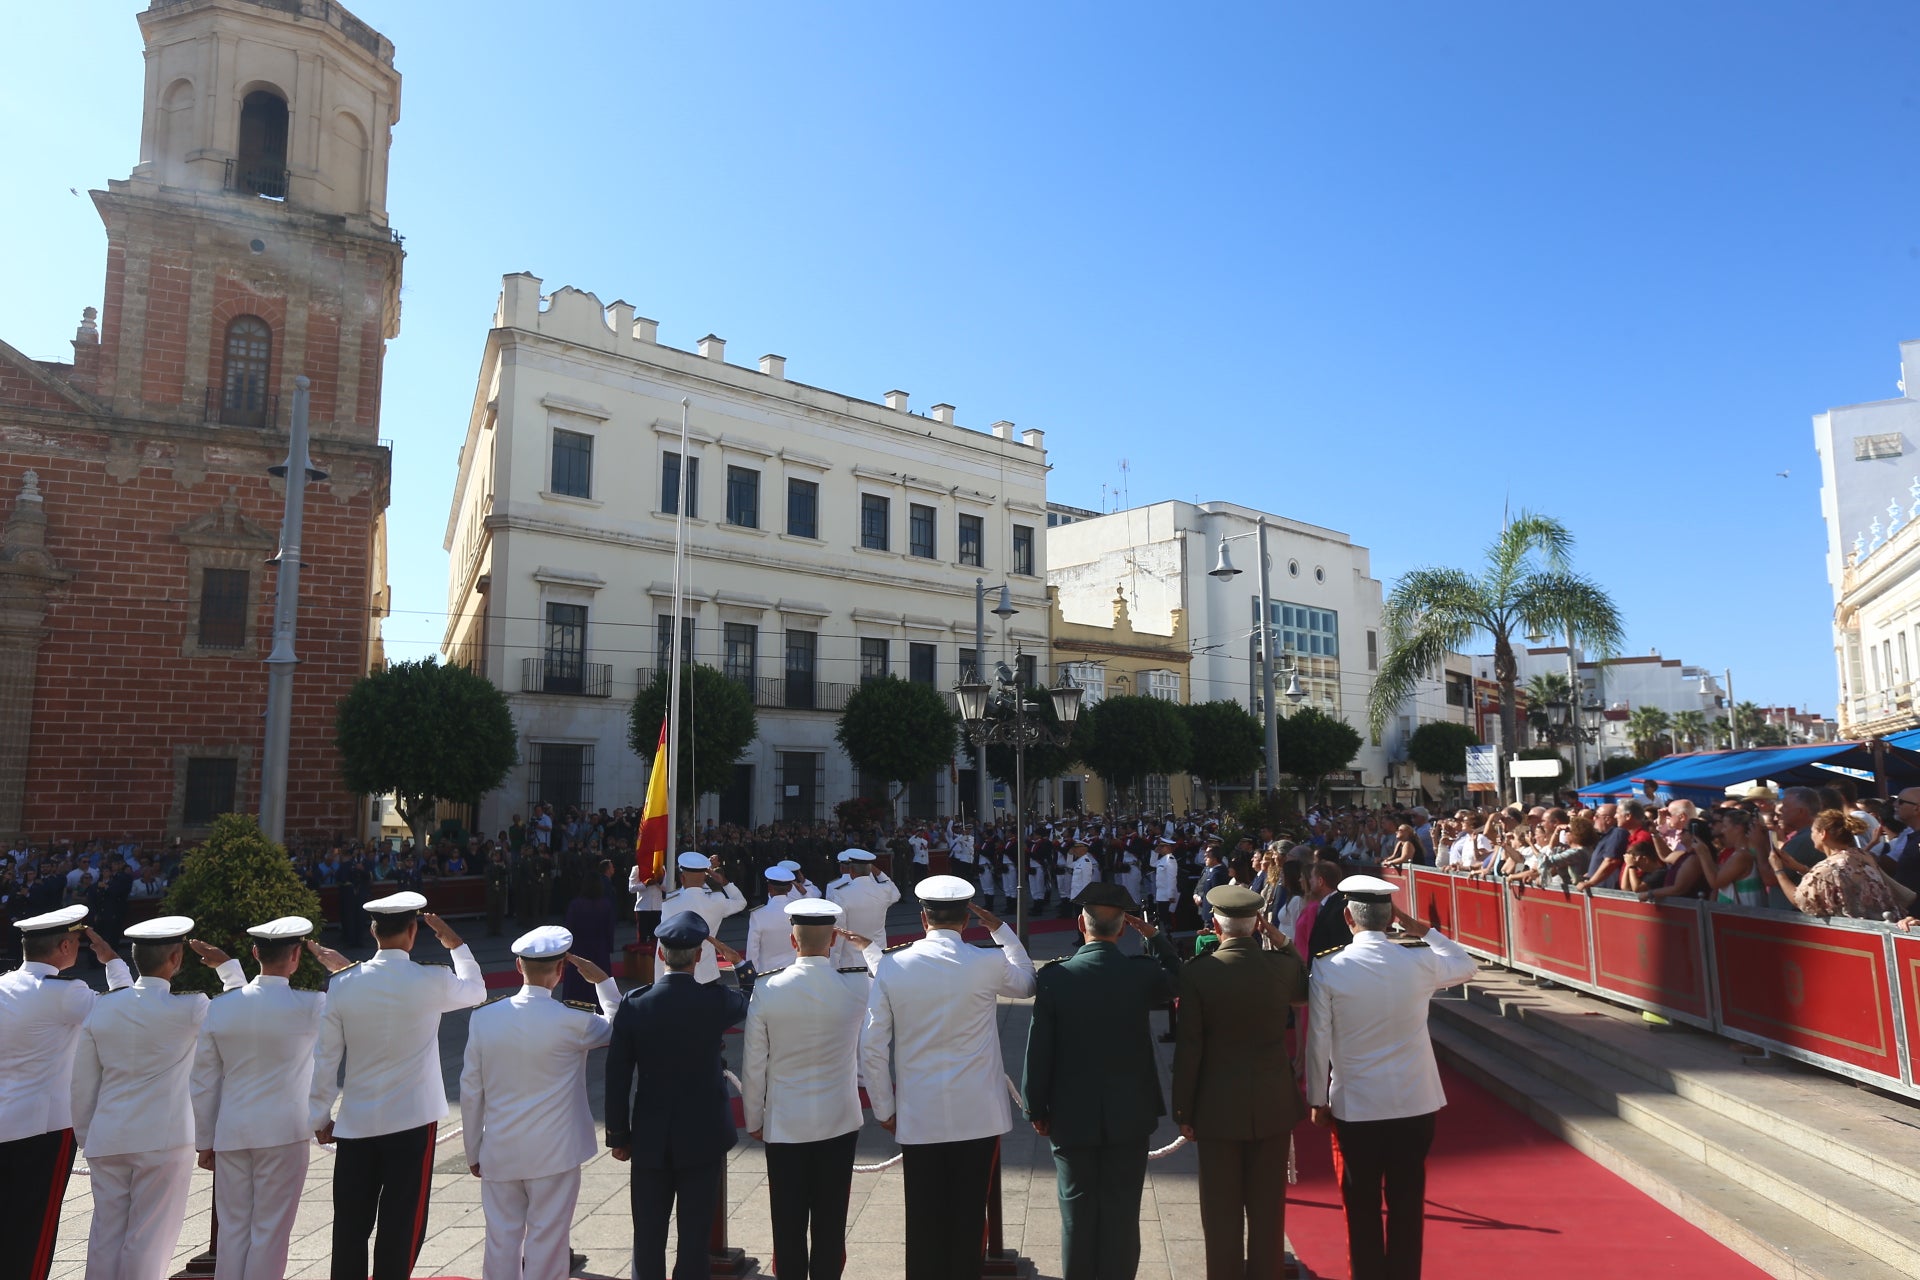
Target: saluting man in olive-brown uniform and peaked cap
<point x="1234" y="1085"/>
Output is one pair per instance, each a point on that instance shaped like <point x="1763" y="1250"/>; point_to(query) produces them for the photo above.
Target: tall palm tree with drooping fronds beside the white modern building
<point x="1525" y="588"/>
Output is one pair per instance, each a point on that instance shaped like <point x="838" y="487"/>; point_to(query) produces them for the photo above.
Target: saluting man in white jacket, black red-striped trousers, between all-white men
<point x="383" y="1022"/>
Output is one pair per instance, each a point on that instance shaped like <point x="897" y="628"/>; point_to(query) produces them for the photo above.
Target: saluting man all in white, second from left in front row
<point x="132" y="1104"/>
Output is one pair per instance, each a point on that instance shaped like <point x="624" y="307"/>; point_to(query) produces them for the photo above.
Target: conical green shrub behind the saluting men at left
<point x="231" y="884"/>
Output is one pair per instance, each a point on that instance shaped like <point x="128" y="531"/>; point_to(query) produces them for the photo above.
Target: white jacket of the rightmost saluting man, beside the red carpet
<point x="1368" y="1045"/>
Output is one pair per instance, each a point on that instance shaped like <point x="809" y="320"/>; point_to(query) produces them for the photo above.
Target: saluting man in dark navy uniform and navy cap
<point x="667" y="1102"/>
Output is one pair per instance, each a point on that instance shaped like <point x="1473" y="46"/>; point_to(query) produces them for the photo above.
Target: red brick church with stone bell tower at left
<point x="247" y="249"/>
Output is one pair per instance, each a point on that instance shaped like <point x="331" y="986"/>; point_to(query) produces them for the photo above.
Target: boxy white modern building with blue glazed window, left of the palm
<point x="1322" y="592"/>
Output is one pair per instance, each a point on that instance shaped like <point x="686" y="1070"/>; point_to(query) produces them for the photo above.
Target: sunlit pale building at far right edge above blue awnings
<point x="1871" y="502"/>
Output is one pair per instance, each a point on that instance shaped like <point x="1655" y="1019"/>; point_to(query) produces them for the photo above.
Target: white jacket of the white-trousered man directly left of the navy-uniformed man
<point x="525" y="1083"/>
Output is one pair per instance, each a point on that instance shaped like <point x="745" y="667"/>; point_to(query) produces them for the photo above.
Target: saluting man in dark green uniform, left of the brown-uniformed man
<point x="1093" y="1085"/>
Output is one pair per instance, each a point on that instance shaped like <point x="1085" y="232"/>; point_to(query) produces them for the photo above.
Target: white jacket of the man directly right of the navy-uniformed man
<point x="804" y="1045"/>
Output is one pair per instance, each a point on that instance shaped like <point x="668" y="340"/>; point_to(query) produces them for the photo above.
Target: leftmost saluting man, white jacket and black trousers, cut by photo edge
<point x="39" y="1031"/>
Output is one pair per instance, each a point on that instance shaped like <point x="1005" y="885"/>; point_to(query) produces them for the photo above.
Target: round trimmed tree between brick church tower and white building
<point x="425" y="734"/>
